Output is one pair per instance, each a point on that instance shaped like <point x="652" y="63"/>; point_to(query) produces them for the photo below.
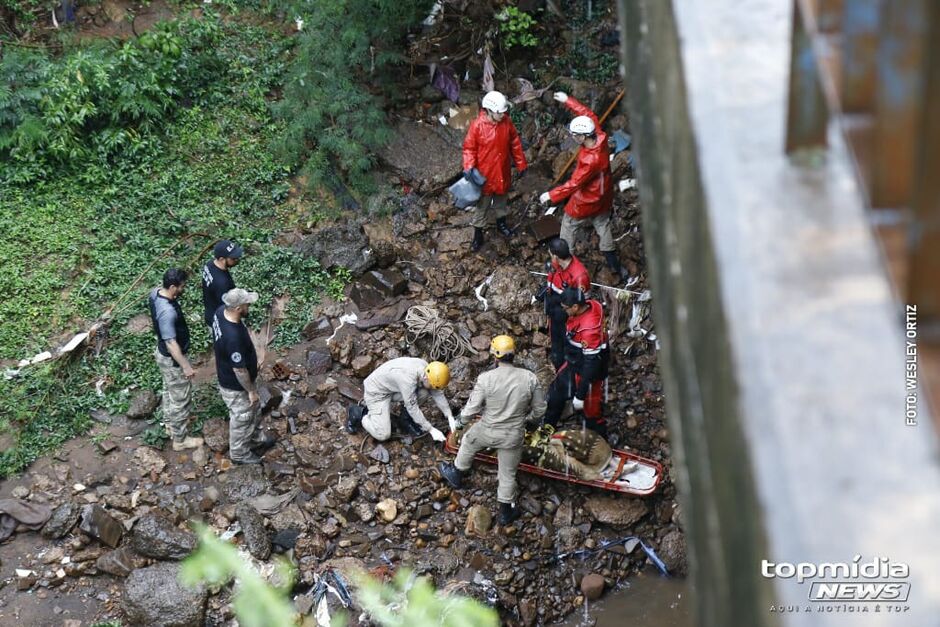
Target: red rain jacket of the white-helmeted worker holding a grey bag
<point x="487" y="148"/>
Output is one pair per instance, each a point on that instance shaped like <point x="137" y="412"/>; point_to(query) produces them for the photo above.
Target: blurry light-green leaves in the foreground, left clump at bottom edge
<point x="256" y="603"/>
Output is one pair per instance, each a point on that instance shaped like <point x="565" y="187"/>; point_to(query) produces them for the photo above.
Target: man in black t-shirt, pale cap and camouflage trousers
<point x="236" y="364"/>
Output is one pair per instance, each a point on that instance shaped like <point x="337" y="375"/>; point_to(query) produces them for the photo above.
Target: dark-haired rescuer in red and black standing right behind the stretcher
<point x="582" y="376"/>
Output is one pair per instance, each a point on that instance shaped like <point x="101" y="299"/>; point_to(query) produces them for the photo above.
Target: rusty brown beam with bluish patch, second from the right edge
<point x="898" y="94"/>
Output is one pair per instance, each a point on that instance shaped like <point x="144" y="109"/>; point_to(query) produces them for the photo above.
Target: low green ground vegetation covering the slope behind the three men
<point x="75" y="243"/>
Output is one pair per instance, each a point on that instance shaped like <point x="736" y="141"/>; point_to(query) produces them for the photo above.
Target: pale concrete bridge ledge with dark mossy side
<point x="782" y="348"/>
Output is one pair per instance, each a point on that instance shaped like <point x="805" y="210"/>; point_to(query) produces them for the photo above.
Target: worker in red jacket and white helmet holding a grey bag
<point x="492" y="142"/>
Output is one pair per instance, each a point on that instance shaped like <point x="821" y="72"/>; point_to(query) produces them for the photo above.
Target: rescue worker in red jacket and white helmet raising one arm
<point x="590" y="190"/>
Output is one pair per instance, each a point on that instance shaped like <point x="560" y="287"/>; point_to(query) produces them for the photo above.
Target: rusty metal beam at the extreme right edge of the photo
<point x="924" y="272"/>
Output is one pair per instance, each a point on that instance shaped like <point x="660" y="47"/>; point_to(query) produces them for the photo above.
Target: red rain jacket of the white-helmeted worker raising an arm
<point x="590" y="188"/>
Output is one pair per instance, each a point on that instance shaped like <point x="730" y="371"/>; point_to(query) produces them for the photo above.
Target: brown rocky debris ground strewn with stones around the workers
<point x="337" y="503"/>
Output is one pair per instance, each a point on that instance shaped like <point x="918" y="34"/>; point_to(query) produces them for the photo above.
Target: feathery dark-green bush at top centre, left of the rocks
<point x="334" y="119"/>
